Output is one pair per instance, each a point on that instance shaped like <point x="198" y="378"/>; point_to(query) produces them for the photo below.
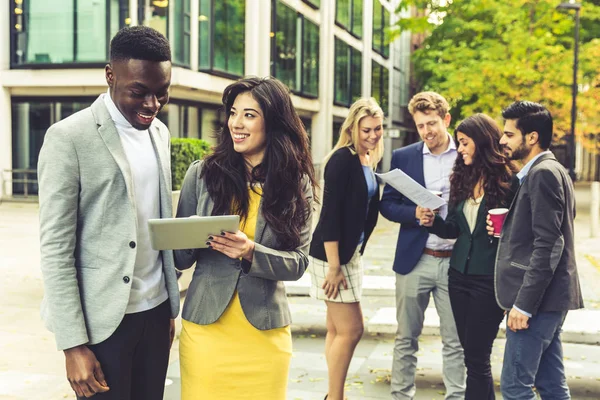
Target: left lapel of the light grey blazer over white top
<point x="110" y="136"/>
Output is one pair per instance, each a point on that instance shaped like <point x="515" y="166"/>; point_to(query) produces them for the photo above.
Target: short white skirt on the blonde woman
<point x="353" y="272"/>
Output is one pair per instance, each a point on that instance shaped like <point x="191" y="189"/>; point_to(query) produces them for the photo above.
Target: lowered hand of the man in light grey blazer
<point x="84" y="372"/>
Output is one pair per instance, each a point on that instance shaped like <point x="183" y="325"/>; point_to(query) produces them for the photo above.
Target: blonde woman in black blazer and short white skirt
<point x="348" y="216"/>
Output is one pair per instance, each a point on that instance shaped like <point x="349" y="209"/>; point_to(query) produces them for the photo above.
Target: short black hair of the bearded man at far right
<point x="531" y="117"/>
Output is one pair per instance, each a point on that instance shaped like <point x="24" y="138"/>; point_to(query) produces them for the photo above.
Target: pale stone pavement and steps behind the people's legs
<point x="31" y="368"/>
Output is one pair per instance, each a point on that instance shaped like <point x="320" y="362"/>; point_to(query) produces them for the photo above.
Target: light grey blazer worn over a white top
<point x="88" y="225"/>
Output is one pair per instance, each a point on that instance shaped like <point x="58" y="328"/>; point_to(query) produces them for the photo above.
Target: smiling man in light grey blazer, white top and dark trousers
<point x="110" y="299"/>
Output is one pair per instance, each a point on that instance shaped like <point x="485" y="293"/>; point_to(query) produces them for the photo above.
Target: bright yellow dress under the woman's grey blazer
<point x="230" y="359"/>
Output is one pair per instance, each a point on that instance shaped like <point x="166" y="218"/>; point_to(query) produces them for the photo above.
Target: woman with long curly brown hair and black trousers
<point x="482" y="179"/>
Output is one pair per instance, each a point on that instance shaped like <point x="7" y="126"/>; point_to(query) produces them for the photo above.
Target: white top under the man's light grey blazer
<point x="148" y="288"/>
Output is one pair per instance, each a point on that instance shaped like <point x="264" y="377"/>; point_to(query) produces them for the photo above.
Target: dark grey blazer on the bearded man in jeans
<point x="535" y="263"/>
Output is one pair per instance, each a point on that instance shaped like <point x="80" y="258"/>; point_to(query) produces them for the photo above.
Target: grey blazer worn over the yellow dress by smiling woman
<point x="216" y="276"/>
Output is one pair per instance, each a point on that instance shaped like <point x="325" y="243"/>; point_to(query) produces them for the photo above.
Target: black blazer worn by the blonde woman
<point x="345" y="201"/>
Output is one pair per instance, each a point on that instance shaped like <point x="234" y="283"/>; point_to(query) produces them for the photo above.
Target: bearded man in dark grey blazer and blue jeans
<point x="536" y="273"/>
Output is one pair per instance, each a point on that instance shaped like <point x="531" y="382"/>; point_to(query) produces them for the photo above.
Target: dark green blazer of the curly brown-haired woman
<point x="473" y="253"/>
